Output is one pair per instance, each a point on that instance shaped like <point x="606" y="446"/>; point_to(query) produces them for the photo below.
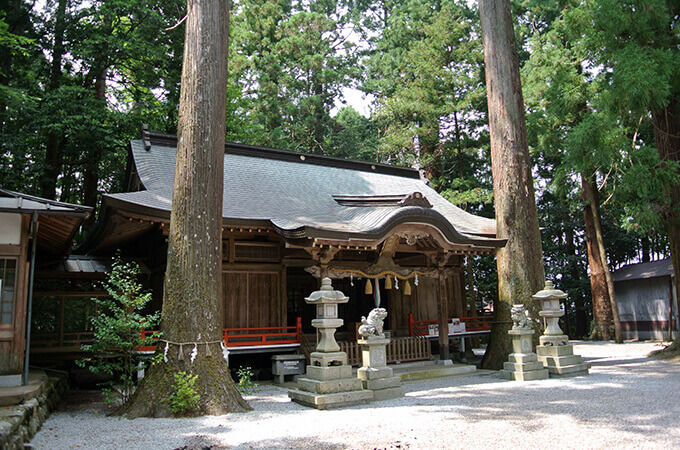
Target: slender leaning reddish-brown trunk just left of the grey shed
<point x="603" y="324"/>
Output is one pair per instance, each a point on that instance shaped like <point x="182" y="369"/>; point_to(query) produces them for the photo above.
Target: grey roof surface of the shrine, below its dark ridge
<point x="295" y="194"/>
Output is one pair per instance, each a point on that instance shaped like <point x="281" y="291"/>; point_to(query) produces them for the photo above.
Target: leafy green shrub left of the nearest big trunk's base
<point x="118" y="330"/>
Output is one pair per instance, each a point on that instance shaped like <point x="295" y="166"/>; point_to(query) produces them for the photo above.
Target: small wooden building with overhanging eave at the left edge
<point x="31" y="229"/>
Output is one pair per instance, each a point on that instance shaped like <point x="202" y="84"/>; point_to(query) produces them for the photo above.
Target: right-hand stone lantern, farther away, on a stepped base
<point x="555" y="351"/>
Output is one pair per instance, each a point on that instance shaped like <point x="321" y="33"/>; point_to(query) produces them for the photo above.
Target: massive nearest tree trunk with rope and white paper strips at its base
<point x="192" y="291"/>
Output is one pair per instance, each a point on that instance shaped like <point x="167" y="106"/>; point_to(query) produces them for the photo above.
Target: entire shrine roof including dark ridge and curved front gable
<point x="305" y="198"/>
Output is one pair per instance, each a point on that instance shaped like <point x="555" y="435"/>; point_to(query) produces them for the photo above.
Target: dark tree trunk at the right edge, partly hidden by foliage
<point x="666" y="124"/>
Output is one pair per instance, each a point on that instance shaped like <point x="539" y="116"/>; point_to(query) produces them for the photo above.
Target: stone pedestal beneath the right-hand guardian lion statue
<point x="523" y="364"/>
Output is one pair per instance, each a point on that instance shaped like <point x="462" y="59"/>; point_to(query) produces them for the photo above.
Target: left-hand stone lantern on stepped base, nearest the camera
<point x="329" y="382"/>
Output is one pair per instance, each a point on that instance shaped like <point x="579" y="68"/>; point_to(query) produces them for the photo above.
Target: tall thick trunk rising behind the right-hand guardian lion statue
<point x="520" y="263"/>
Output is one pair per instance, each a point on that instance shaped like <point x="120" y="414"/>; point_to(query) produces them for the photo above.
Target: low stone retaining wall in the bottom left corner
<point x="19" y="423"/>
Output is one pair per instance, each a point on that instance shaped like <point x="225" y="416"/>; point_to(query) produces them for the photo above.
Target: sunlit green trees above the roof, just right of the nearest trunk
<point x="290" y="62"/>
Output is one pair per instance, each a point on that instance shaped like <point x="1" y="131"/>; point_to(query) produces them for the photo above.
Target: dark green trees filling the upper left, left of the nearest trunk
<point x="76" y="82"/>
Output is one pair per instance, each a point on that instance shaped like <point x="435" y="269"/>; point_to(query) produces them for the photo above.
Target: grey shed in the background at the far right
<point x="646" y="298"/>
